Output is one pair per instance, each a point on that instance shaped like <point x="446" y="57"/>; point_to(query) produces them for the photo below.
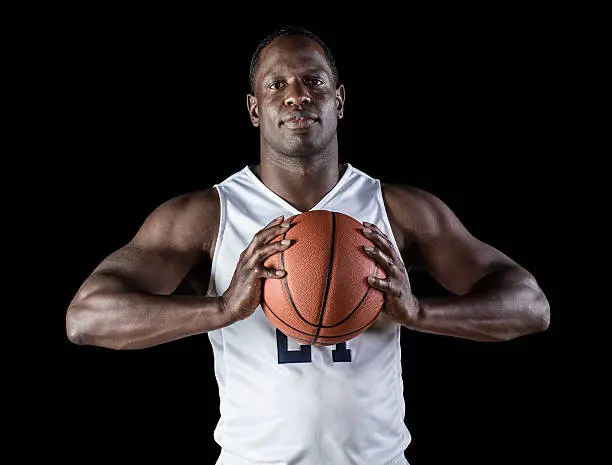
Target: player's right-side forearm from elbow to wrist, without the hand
<point x="503" y="305"/>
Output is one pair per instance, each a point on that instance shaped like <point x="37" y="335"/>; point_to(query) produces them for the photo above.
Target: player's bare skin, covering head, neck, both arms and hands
<point x="127" y="301"/>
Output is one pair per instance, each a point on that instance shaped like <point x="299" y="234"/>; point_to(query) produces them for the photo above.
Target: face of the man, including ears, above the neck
<point x="296" y="104"/>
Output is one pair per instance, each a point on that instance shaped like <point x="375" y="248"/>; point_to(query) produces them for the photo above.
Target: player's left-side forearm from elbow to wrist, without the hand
<point x="132" y="320"/>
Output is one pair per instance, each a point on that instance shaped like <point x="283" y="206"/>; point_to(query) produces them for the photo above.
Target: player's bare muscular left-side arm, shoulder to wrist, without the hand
<point x="126" y="304"/>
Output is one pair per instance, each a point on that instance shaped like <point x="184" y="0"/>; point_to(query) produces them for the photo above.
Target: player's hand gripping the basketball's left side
<point x="243" y="295"/>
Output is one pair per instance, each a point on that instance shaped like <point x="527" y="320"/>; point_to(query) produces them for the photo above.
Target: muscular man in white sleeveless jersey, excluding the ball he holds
<point x="266" y="381"/>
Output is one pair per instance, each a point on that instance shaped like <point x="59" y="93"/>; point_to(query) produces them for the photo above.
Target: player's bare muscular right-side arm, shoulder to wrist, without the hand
<point x="495" y="298"/>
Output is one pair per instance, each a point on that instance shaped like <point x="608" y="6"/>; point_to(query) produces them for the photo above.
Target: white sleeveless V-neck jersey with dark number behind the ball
<point x="282" y="403"/>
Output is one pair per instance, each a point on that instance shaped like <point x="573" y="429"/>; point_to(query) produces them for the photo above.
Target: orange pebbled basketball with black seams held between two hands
<point x="324" y="297"/>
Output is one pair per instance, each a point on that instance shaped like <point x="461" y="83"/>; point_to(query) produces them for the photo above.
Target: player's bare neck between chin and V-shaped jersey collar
<point x="300" y="182"/>
